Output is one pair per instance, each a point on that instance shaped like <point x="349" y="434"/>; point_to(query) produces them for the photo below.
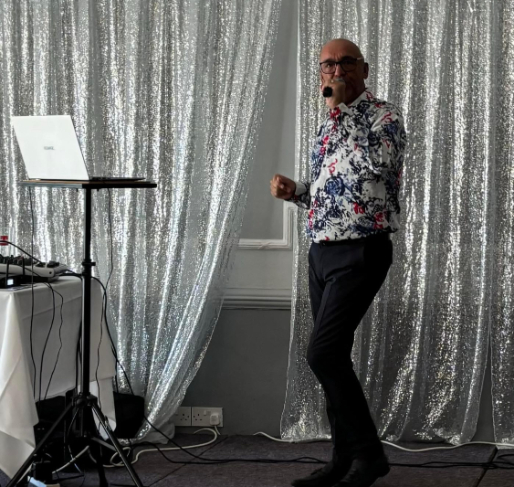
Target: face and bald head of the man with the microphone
<point x="338" y="50"/>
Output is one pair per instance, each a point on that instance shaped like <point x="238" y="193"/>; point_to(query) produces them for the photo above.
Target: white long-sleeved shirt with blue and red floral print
<point x="355" y="172"/>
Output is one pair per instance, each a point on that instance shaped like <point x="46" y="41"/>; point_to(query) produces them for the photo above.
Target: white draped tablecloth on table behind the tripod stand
<point x="18" y="379"/>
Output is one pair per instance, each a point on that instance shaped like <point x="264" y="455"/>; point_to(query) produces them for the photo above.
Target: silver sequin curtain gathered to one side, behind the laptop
<point x="169" y="89"/>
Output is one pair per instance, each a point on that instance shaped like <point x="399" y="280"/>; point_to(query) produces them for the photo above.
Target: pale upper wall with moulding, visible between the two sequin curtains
<point x="262" y="273"/>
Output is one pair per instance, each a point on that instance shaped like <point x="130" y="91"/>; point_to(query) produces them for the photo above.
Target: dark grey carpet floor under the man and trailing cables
<point x="180" y="469"/>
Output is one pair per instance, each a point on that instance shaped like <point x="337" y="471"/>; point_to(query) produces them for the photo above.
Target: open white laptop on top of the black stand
<point x="50" y="149"/>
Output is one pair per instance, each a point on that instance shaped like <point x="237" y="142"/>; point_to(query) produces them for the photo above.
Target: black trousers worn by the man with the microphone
<point x="344" y="278"/>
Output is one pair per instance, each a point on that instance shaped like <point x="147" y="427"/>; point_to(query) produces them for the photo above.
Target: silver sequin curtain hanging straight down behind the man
<point x="421" y="350"/>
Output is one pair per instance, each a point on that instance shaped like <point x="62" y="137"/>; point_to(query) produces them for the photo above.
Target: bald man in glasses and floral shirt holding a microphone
<point x="352" y="198"/>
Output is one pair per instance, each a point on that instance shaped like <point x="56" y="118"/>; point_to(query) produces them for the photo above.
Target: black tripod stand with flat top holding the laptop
<point x="85" y="404"/>
